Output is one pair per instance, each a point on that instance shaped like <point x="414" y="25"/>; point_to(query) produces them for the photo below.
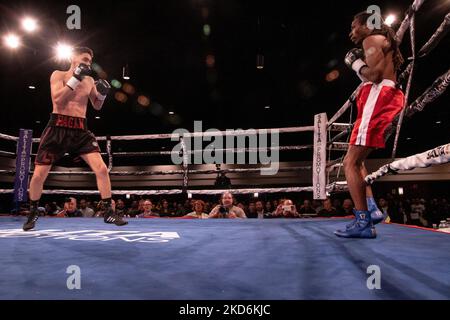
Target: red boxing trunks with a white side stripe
<point x="377" y="104"/>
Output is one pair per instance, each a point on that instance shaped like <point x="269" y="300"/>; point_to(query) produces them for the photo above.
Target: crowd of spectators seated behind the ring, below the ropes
<point x="416" y="211"/>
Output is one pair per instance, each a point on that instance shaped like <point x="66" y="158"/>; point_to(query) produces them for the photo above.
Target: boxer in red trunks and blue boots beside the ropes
<point x="378" y="102"/>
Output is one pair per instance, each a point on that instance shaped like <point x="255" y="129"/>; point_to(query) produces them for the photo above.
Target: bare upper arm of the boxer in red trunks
<point x="375" y="58"/>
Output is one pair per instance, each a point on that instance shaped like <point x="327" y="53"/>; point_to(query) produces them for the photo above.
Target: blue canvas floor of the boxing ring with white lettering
<point x="229" y="259"/>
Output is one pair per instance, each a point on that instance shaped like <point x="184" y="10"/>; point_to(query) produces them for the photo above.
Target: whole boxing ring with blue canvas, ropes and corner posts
<point x="235" y="259"/>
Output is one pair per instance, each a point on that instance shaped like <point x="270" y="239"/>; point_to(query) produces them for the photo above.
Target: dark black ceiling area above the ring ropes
<point x="166" y="49"/>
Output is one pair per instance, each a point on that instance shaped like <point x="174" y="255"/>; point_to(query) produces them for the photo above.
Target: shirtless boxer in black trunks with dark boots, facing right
<point x="66" y="132"/>
